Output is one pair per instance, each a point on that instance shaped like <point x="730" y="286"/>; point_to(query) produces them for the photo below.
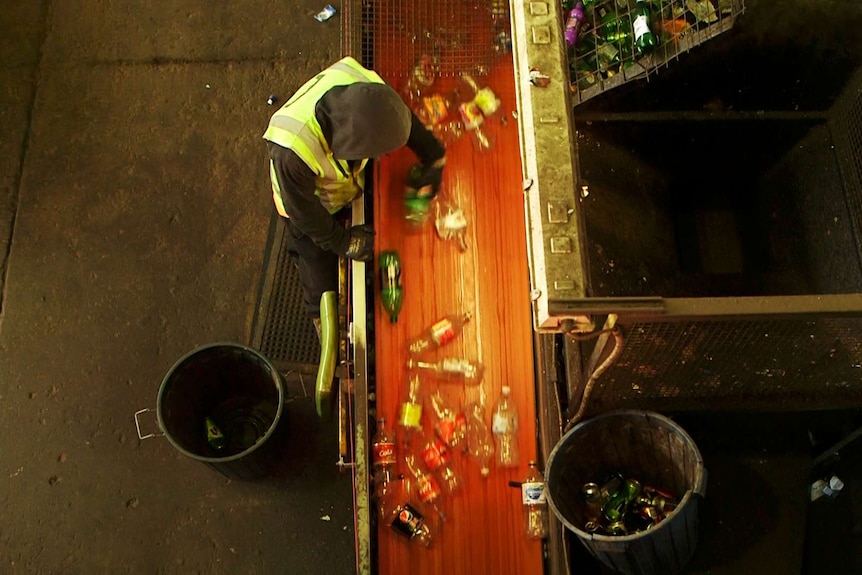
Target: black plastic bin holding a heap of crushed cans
<point x="639" y="444"/>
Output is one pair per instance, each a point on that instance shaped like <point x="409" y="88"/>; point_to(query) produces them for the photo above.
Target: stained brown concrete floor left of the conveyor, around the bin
<point x="134" y="207"/>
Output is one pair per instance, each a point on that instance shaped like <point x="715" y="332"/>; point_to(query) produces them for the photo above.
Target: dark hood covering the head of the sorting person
<point x="367" y="119"/>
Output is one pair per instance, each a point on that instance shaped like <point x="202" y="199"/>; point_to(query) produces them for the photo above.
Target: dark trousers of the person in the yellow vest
<point x="318" y="268"/>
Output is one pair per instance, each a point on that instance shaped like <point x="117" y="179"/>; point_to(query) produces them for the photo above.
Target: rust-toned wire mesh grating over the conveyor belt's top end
<point x="459" y="36"/>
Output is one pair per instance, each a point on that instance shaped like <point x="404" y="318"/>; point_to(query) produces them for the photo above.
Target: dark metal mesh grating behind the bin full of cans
<point x="781" y="364"/>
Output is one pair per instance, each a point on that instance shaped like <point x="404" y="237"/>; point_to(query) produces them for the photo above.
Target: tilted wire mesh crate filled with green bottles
<point x="605" y="53"/>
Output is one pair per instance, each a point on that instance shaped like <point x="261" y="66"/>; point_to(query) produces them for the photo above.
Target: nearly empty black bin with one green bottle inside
<point x="240" y="391"/>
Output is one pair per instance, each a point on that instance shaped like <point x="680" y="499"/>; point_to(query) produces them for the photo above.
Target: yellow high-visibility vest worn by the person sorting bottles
<point x="295" y="127"/>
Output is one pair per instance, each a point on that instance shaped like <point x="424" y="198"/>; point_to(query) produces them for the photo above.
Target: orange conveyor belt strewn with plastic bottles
<point x="484" y="531"/>
